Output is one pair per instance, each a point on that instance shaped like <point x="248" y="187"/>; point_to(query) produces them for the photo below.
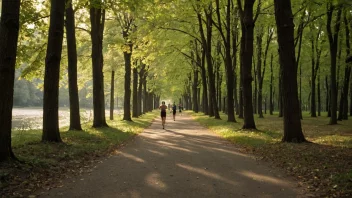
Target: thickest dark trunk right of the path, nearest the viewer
<point x="285" y="28"/>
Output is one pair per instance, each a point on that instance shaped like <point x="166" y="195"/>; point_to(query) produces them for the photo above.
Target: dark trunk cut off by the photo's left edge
<point x="9" y="30"/>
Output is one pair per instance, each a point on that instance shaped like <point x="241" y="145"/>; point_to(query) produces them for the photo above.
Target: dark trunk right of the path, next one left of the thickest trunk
<point x="247" y="24"/>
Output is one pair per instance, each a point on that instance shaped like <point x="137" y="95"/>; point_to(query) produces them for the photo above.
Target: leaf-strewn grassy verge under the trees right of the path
<point x="324" y="167"/>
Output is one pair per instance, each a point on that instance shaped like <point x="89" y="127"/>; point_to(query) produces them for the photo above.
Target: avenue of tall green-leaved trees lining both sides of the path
<point x="245" y="58"/>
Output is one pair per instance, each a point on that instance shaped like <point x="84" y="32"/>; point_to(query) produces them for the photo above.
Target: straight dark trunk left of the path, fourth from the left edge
<point x="97" y="19"/>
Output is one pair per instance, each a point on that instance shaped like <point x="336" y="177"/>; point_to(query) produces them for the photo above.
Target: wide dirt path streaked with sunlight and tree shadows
<point x="184" y="160"/>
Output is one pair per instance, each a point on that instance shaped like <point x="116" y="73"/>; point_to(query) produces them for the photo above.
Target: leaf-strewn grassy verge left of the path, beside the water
<point x="47" y="164"/>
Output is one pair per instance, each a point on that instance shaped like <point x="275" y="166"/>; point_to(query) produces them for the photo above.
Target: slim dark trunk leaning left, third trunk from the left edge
<point x="75" y="121"/>
